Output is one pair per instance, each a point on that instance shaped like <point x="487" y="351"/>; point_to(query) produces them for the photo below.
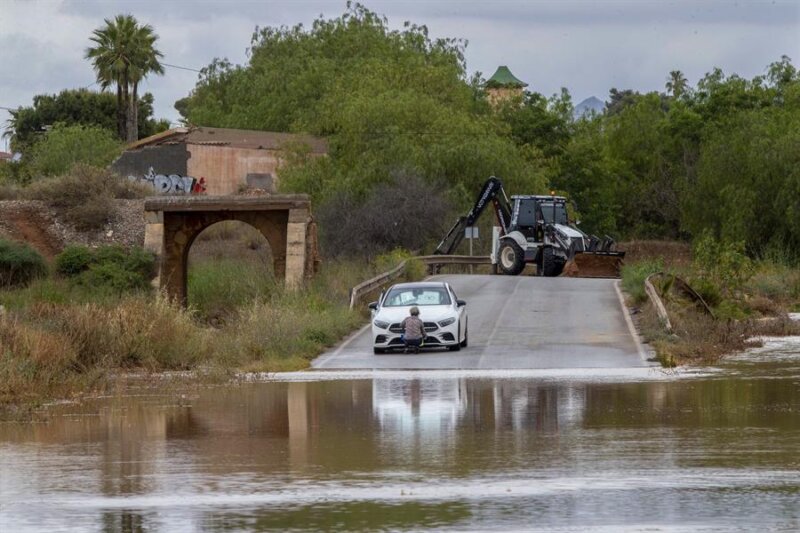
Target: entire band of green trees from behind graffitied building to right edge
<point x="720" y="156"/>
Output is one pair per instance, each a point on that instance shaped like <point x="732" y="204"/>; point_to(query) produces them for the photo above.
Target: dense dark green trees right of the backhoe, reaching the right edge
<point x="721" y="157"/>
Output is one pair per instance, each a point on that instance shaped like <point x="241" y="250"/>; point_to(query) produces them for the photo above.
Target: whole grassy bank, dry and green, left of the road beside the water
<point x="60" y="337"/>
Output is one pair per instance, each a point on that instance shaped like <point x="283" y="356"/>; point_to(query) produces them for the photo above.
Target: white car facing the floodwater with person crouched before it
<point x="444" y="315"/>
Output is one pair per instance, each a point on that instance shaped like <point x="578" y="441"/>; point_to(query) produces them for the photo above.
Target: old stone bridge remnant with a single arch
<point x="173" y="223"/>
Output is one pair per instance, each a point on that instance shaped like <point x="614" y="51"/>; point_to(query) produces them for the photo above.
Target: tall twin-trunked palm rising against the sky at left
<point x="123" y="55"/>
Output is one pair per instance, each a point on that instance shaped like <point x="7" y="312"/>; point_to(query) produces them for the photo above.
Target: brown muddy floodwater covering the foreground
<point x="562" y="450"/>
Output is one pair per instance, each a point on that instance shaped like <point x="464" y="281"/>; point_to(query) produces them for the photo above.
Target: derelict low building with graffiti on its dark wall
<point x="215" y="161"/>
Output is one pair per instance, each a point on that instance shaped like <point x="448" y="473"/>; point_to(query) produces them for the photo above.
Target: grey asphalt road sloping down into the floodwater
<point x="518" y="322"/>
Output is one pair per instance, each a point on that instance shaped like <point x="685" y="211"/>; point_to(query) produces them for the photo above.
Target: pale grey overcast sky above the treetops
<point x="586" y="46"/>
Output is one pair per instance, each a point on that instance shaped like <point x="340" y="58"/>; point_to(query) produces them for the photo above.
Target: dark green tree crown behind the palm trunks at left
<point x="71" y="107"/>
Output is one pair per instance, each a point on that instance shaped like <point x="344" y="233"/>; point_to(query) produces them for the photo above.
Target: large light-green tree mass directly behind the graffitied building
<point x="388" y="101"/>
